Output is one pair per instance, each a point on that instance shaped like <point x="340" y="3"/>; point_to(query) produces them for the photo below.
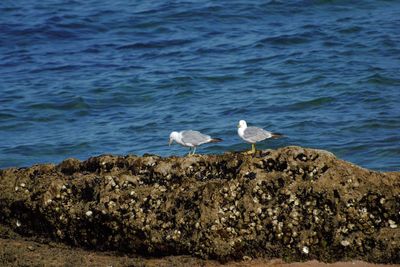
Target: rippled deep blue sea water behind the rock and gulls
<point x="83" y="78"/>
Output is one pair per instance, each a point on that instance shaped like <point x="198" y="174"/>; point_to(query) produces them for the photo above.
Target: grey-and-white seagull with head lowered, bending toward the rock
<point x="191" y="139"/>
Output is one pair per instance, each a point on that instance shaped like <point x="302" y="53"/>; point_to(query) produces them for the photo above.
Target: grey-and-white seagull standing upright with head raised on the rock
<point x="253" y="135"/>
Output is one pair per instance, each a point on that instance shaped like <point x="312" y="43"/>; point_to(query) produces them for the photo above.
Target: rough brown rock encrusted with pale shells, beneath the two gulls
<point x="291" y="203"/>
